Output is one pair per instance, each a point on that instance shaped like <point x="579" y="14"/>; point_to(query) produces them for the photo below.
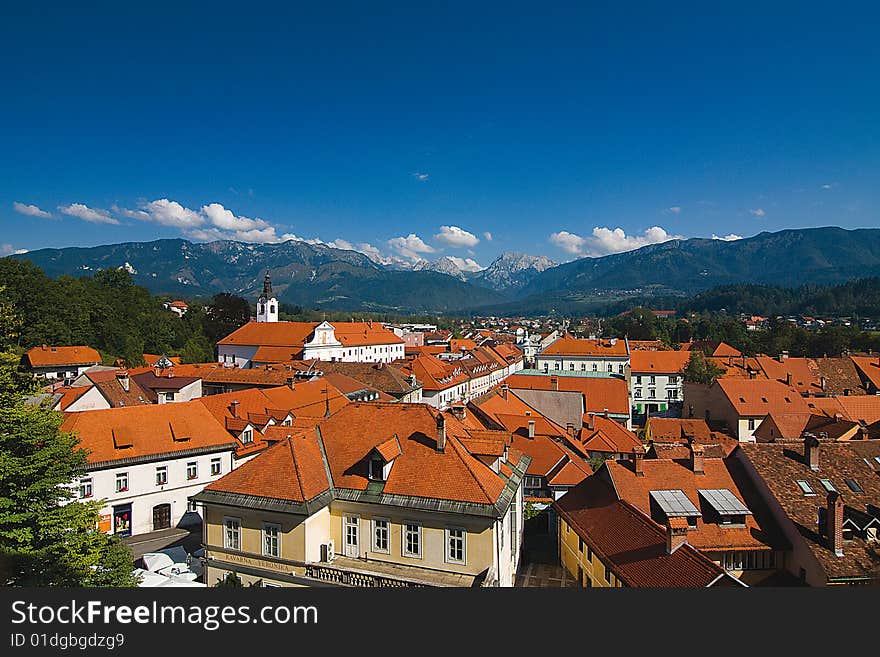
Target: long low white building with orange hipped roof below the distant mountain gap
<point x="568" y="355"/>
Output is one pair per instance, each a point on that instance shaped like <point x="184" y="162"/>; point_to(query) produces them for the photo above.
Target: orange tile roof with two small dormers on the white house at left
<point x="144" y="431"/>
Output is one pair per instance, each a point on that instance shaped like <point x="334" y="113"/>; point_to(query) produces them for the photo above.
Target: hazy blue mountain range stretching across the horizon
<point x="321" y="276"/>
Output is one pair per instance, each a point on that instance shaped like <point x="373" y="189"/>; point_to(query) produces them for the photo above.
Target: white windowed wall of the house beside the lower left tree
<point x="143" y="494"/>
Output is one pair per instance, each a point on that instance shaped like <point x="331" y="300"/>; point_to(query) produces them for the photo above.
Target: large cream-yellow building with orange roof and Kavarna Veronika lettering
<point x="376" y="495"/>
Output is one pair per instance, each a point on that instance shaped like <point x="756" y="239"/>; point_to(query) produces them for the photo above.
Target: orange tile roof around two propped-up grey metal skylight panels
<point x="665" y="474"/>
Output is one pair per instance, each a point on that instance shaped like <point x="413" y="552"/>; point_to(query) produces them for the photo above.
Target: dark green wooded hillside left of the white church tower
<point x="108" y="312"/>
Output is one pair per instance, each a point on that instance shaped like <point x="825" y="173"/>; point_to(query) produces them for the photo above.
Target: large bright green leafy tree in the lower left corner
<point x="47" y="538"/>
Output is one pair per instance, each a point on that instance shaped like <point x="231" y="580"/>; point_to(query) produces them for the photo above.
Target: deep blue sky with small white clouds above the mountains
<point x="436" y="129"/>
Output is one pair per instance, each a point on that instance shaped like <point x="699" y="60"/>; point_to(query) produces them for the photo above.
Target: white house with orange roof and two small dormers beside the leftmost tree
<point x="144" y="462"/>
